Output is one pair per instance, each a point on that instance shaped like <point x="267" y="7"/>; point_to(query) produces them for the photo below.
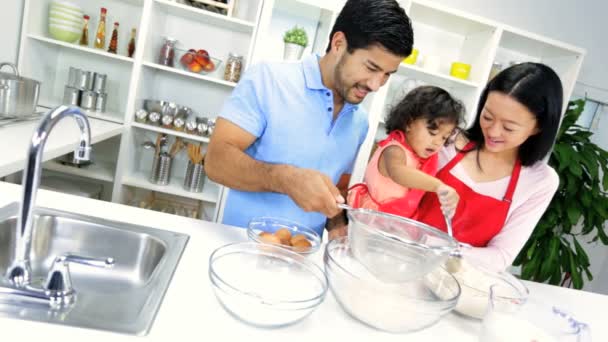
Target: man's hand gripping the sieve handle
<point x="311" y="190"/>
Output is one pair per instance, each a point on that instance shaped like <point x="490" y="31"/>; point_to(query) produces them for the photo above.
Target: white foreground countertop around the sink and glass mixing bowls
<point x="191" y="312"/>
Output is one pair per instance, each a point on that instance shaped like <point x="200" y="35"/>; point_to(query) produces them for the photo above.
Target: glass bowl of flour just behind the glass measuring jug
<point x="475" y="279"/>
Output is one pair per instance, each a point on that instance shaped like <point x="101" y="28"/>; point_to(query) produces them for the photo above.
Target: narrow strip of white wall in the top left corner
<point x="10" y="29"/>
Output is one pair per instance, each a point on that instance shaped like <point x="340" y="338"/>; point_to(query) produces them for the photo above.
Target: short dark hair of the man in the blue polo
<point x="369" y="22"/>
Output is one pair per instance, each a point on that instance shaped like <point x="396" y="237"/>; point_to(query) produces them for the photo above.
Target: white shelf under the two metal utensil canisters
<point x="209" y="194"/>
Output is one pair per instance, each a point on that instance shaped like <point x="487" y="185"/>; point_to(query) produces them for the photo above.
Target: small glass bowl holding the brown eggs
<point x="271" y="225"/>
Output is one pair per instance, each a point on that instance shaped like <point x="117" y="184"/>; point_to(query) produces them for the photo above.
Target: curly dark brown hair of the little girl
<point x="432" y="103"/>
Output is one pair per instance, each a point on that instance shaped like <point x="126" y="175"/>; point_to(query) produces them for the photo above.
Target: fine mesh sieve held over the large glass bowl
<point x="411" y="249"/>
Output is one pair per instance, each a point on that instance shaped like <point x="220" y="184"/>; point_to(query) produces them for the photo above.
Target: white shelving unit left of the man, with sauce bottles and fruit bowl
<point x="126" y="165"/>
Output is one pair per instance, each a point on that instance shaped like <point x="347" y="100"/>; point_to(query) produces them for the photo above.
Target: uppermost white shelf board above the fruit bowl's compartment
<point x="211" y="18"/>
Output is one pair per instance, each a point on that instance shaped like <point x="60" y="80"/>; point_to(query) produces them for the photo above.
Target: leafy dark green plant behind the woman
<point x="580" y="207"/>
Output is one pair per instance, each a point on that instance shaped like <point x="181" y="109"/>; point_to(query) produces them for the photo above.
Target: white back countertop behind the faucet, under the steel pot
<point x="14" y="141"/>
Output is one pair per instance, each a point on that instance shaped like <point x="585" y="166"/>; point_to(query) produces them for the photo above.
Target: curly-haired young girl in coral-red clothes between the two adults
<point x="403" y="166"/>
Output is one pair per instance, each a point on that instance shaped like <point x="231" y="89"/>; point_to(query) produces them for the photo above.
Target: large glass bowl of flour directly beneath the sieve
<point x="394" y="308"/>
